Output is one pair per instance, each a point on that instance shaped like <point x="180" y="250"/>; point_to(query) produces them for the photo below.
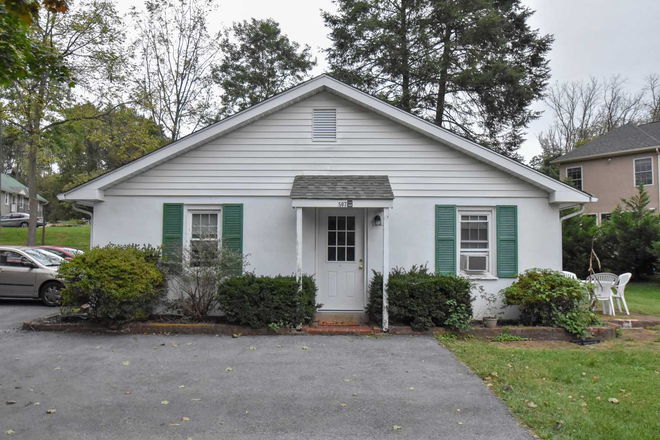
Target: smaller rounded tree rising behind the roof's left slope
<point x="258" y="61"/>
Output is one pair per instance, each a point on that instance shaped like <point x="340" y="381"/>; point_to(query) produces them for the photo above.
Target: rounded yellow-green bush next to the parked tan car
<point x="120" y="283"/>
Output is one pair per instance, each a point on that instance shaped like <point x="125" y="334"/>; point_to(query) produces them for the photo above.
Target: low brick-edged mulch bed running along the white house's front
<point x="168" y="324"/>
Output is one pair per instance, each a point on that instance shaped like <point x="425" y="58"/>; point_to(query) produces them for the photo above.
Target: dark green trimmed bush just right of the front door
<point x="422" y="299"/>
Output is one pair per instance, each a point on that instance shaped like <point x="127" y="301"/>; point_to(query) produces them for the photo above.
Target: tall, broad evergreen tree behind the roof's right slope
<point x="471" y="66"/>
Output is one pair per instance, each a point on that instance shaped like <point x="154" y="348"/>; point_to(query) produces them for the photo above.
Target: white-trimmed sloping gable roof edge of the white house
<point x="93" y="190"/>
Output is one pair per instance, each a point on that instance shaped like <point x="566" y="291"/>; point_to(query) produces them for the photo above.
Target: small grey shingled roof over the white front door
<point x="342" y="187"/>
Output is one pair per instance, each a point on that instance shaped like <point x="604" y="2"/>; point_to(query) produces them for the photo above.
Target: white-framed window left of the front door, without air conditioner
<point x="204" y="234"/>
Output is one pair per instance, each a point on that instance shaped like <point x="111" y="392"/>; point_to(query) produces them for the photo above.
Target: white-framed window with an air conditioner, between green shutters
<point x="475" y="246"/>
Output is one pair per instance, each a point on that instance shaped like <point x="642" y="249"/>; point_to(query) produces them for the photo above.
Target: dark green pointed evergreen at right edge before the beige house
<point x="628" y="237"/>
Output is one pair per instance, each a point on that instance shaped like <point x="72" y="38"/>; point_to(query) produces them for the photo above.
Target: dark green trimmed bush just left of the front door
<point x="259" y="301"/>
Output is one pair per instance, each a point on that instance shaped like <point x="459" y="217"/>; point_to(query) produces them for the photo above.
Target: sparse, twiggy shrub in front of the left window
<point x="195" y="274"/>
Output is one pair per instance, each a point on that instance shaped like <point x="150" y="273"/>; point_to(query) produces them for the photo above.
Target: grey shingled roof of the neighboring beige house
<point x="625" y="139"/>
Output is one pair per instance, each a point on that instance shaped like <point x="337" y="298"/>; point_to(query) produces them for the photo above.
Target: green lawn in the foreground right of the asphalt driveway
<point x="561" y="391"/>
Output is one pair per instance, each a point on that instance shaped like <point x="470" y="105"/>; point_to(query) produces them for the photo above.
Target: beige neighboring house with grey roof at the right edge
<point x="612" y="166"/>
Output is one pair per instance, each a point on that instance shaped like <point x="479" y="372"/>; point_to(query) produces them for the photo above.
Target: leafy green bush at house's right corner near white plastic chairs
<point x="548" y="298"/>
